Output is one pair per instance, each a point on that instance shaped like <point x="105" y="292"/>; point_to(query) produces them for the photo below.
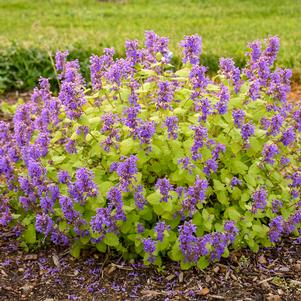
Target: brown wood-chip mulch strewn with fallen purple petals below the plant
<point x="52" y="274"/>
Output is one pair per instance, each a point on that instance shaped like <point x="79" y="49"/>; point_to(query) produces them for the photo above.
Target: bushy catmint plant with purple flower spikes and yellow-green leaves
<point x="155" y="162"/>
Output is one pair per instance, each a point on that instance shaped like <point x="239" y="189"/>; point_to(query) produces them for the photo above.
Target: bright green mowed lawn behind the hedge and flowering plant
<point x="225" y="25"/>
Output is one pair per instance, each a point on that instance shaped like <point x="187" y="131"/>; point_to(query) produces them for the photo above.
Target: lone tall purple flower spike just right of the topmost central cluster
<point x="192" y="49"/>
